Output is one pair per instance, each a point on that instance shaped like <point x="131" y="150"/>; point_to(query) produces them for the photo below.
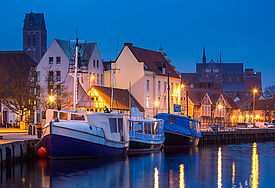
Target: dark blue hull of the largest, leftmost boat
<point x="58" y="146"/>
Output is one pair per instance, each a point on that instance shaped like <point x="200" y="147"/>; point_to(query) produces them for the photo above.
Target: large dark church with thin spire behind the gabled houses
<point x="231" y="77"/>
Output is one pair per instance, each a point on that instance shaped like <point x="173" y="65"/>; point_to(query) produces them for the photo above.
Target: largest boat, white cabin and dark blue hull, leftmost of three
<point x="83" y="134"/>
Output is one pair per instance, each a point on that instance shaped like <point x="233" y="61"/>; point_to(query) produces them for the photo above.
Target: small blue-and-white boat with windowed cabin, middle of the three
<point x="146" y="135"/>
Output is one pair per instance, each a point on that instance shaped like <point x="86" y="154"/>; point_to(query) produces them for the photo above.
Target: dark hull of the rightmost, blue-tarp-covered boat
<point x="176" y="140"/>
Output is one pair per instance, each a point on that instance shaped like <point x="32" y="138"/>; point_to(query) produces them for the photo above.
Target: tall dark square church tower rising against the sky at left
<point x="35" y="35"/>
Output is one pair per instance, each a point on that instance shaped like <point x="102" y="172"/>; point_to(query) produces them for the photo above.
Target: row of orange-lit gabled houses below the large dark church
<point x="209" y="106"/>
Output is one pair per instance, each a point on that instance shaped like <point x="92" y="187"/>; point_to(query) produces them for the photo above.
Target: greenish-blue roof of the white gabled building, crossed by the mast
<point x="85" y="49"/>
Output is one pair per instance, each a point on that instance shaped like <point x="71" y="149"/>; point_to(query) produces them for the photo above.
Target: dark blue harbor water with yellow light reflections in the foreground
<point x="242" y="165"/>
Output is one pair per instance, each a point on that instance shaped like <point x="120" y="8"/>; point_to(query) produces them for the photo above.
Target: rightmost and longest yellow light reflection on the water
<point x="254" y="178"/>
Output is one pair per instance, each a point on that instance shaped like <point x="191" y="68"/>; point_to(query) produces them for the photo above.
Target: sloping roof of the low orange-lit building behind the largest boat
<point x="121" y="98"/>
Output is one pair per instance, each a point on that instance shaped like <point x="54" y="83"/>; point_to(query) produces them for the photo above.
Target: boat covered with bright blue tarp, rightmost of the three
<point x="180" y="131"/>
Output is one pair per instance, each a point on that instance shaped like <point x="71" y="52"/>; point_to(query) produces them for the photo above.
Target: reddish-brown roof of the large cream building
<point x="153" y="61"/>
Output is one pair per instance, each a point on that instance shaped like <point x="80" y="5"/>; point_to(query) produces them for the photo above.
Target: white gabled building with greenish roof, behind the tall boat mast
<point x="56" y="68"/>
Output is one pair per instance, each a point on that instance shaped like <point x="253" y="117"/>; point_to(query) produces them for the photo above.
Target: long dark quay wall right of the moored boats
<point x="236" y="136"/>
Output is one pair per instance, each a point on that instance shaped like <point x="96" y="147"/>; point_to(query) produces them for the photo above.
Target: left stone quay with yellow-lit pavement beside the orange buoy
<point x="15" y="145"/>
